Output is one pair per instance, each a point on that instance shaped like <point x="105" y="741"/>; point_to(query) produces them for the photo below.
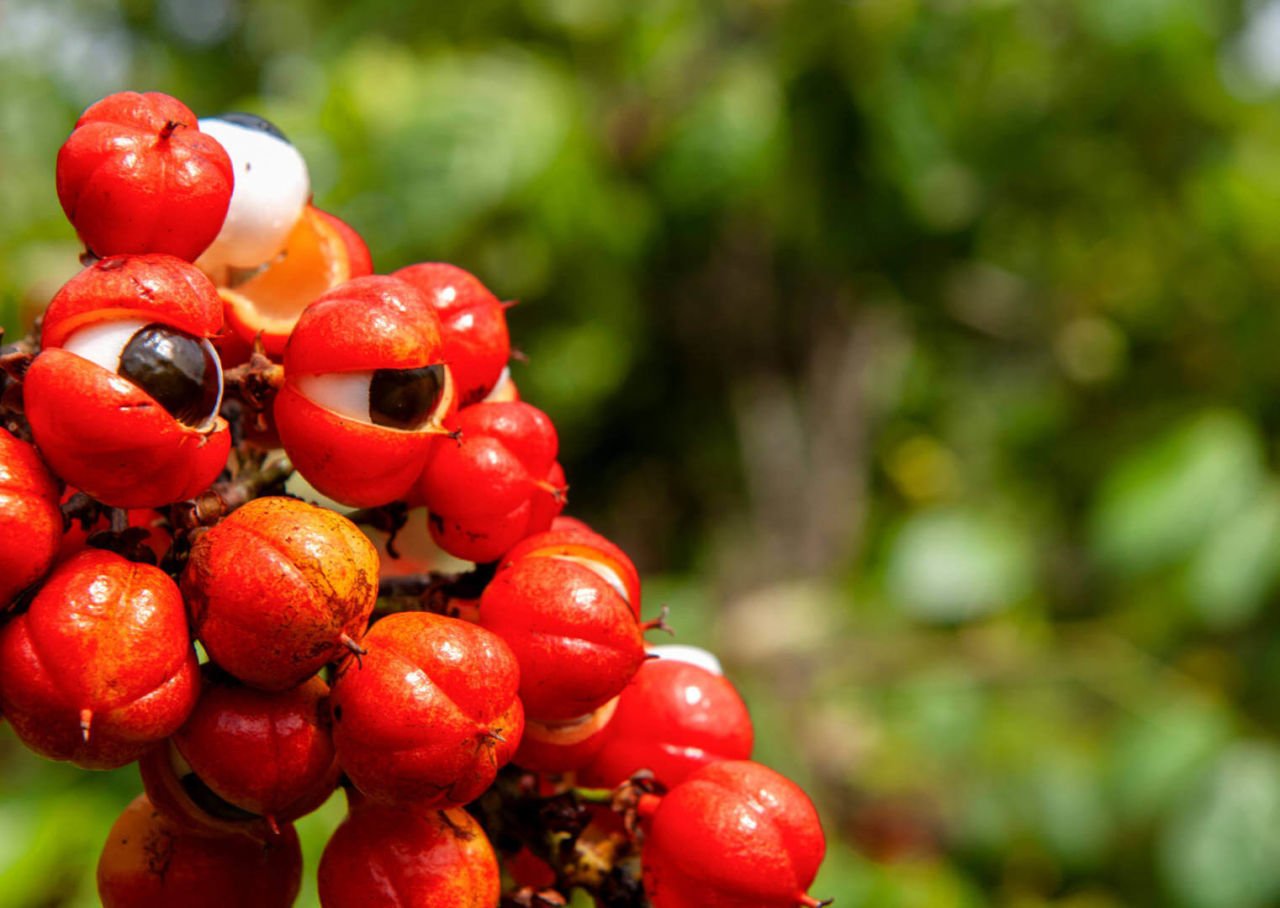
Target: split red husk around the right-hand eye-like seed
<point x="374" y="323"/>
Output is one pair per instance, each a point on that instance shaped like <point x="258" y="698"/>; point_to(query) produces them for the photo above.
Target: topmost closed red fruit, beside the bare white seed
<point x="138" y="176"/>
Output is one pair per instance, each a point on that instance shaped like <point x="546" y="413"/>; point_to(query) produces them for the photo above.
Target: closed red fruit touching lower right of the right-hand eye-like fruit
<point x="495" y="486"/>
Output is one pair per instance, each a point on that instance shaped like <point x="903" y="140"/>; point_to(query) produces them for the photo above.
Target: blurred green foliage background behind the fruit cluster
<point x="922" y="353"/>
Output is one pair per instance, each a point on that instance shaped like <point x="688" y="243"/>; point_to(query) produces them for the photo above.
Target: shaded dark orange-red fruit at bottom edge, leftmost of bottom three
<point x="150" y="861"/>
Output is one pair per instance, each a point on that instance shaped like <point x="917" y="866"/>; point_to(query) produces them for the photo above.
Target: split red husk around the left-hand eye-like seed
<point x="97" y="430"/>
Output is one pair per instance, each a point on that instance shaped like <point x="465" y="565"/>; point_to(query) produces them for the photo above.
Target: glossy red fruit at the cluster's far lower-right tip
<point x="733" y="836"/>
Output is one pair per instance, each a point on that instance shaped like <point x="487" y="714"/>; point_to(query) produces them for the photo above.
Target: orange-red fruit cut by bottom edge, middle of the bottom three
<point x="387" y="856"/>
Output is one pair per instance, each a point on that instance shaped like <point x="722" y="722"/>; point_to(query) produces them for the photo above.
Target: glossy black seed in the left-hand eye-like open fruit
<point x="177" y="369"/>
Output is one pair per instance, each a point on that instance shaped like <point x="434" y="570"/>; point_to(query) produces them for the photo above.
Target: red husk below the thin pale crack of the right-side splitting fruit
<point x="577" y="638"/>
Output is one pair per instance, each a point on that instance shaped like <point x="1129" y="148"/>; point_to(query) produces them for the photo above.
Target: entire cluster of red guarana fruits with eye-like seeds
<point x="502" y="734"/>
